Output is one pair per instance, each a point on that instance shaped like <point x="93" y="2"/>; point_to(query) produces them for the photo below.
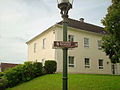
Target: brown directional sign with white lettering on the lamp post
<point x="65" y="44"/>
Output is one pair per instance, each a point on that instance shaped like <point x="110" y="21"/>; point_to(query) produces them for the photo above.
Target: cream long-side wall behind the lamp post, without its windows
<point x="80" y="53"/>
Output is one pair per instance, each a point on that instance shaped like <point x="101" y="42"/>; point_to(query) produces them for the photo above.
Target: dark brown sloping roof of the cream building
<point x="84" y="26"/>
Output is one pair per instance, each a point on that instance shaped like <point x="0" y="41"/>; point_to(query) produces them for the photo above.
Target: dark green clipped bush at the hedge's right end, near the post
<point x="50" y="66"/>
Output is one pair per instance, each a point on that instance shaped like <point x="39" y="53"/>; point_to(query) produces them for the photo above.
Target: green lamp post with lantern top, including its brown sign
<point x="65" y="6"/>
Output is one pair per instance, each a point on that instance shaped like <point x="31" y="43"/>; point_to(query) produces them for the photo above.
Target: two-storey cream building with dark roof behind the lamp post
<point x="88" y="57"/>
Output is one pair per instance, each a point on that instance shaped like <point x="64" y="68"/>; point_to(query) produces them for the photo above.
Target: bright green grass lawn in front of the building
<point x="75" y="82"/>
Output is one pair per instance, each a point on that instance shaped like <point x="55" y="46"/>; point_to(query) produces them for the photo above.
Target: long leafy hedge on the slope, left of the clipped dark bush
<point x="22" y="73"/>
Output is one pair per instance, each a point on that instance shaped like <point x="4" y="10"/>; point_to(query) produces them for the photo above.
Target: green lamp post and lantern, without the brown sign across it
<point x="65" y="6"/>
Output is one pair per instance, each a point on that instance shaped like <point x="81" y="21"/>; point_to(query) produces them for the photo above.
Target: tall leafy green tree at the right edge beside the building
<point x="111" y="42"/>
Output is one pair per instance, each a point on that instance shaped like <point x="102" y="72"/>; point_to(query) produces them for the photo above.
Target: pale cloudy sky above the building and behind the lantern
<point x="21" y="20"/>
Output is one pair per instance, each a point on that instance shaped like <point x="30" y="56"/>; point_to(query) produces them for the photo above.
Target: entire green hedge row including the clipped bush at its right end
<point x="25" y="72"/>
